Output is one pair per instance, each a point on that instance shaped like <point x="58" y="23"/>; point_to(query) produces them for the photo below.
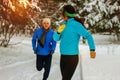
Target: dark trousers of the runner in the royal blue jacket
<point x="44" y="62"/>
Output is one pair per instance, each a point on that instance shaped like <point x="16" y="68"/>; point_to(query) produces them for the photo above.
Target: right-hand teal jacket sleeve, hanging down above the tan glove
<point x="86" y="34"/>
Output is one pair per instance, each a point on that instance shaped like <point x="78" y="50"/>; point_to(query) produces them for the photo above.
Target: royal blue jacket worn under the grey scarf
<point x="49" y="45"/>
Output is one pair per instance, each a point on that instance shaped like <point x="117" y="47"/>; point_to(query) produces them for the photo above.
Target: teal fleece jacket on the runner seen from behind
<point x="70" y="37"/>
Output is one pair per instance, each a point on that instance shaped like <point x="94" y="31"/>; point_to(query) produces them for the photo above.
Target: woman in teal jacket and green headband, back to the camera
<point x="69" y="35"/>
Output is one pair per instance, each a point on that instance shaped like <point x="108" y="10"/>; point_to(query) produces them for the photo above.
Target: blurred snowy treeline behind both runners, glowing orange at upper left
<point x="22" y="17"/>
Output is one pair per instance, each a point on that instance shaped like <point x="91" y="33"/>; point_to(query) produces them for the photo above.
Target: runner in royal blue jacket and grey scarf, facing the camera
<point x="44" y="46"/>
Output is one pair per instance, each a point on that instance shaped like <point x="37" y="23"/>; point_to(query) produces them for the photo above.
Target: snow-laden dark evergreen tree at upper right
<point x="100" y="15"/>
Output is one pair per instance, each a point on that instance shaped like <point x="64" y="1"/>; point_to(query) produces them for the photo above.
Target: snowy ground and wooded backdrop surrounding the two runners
<point x="19" y="19"/>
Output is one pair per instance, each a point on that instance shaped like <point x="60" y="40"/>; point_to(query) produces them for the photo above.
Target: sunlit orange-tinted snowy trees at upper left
<point x="22" y="15"/>
